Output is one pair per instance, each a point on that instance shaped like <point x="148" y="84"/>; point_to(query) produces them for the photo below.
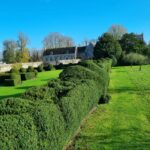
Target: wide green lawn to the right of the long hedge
<point x="124" y="123"/>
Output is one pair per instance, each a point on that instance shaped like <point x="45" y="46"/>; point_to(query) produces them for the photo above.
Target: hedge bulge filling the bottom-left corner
<point x="17" y="129"/>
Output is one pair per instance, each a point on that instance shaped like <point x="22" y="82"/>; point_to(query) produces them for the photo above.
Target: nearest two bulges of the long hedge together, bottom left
<point x="28" y="125"/>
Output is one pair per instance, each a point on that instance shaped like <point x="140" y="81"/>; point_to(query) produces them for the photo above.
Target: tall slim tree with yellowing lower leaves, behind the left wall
<point x="23" y="52"/>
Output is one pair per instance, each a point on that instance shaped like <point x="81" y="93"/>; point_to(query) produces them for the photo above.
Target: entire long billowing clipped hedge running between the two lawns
<point x="46" y="117"/>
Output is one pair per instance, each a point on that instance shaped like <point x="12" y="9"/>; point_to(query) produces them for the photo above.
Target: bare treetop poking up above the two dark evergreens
<point x="117" y="31"/>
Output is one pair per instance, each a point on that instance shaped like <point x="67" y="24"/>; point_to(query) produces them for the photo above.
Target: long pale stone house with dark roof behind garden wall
<point x="68" y="55"/>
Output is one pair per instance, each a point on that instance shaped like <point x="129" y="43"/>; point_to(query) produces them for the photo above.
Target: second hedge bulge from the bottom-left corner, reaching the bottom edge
<point x="50" y="126"/>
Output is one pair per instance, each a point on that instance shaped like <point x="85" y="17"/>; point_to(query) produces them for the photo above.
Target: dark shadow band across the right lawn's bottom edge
<point x="133" y="139"/>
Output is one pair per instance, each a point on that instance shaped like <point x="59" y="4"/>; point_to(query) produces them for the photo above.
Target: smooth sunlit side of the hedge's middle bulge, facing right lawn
<point x="77" y="103"/>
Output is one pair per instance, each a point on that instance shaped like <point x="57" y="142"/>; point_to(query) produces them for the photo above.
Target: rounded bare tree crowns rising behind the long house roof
<point x="57" y="40"/>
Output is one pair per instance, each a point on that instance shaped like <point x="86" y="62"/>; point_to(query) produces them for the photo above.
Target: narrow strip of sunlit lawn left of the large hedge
<point x="41" y="79"/>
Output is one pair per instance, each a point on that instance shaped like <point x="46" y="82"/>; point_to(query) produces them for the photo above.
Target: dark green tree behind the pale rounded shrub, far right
<point x="131" y="43"/>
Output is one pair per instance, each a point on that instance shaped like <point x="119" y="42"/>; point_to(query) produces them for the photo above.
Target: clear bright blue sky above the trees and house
<point x="76" y="18"/>
